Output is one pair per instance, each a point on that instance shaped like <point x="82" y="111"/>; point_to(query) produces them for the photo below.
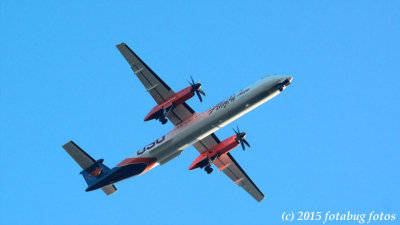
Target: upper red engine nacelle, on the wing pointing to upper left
<point x="160" y="111"/>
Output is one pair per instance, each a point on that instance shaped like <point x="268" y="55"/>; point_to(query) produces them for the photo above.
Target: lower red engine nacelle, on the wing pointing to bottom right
<point x="222" y="148"/>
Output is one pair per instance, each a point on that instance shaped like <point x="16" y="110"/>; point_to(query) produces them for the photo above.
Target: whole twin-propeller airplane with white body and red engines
<point x="190" y="128"/>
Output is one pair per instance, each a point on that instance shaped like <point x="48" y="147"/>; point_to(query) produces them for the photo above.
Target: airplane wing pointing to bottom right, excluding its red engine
<point x="230" y="167"/>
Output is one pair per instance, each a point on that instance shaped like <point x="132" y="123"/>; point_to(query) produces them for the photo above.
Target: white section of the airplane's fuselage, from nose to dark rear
<point x="203" y="124"/>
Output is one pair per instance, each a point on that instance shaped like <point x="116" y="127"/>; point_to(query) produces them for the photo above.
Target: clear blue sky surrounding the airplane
<point x="330" y="141"/>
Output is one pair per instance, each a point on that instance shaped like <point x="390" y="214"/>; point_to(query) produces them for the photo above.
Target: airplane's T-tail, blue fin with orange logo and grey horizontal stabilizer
<point x="92" y="170"/>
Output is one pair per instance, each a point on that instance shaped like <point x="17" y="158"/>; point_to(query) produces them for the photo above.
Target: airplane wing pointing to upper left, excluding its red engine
<point x="157" y="88"/>
